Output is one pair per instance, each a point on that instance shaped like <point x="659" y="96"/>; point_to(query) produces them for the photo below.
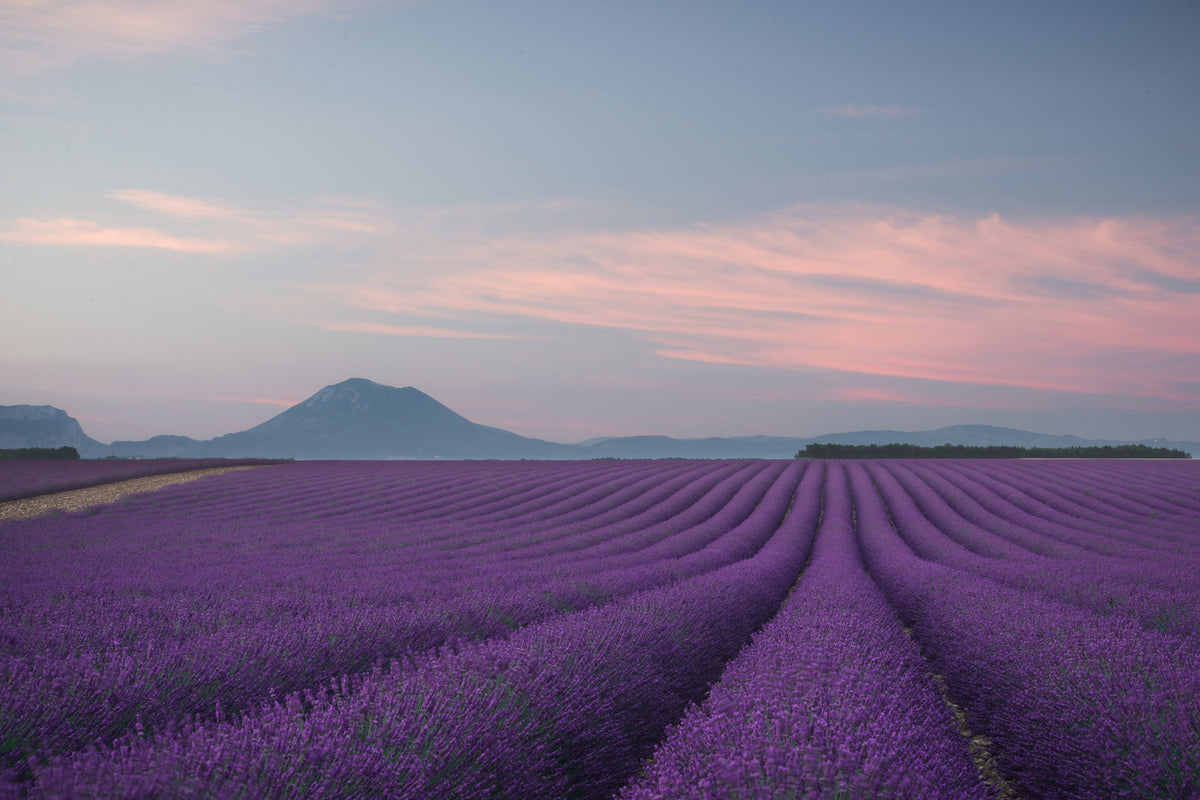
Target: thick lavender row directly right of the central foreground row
<point x="1077" y="705"/>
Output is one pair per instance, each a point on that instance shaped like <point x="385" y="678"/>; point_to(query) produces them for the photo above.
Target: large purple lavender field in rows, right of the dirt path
<point x="629" y="630"/>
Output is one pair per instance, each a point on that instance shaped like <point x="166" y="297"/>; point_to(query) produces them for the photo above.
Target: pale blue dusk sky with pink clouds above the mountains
<point x="605" y="218"/>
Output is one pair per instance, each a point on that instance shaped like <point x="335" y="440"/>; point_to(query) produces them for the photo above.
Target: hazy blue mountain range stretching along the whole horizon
<point x="359" y="419"/>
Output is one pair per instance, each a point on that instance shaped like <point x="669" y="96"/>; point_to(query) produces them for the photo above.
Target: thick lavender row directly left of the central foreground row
<point x="566" y="708"/>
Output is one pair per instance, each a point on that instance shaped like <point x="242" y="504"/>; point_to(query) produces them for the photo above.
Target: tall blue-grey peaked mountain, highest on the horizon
<point x="362" y="419"/>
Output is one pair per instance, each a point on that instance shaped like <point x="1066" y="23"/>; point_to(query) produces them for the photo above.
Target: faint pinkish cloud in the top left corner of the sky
<point x="38" y="35"/>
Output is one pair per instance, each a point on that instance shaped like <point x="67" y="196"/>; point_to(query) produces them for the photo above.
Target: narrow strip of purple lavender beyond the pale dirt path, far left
<point x="29" y="478"/>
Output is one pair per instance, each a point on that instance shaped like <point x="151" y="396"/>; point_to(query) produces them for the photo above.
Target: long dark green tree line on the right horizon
<point x="897" y="450"/>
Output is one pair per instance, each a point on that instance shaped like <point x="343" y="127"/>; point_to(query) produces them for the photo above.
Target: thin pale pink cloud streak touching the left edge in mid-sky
<point x="71" y="232"/>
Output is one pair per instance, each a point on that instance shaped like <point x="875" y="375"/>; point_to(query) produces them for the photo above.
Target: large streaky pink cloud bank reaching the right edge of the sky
<point x="987" y="302"/>
